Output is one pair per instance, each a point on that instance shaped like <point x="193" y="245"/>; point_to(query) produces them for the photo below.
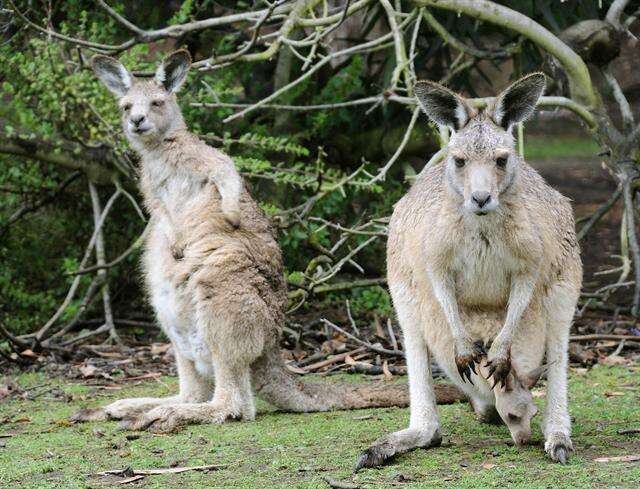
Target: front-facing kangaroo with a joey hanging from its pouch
<point x="481" y="250"/>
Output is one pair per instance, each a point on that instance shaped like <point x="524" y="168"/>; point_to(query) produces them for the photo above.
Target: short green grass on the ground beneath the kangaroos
<point x="297" y="450"/>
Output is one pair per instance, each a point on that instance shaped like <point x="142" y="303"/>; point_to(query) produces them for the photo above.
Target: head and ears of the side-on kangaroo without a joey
<point x="150" y="111"/>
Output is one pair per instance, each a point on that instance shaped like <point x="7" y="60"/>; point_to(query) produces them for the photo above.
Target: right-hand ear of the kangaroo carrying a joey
<point x="518" y="101"/>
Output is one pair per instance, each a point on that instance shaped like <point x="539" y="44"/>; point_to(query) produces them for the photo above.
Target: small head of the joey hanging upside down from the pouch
<point x="515" y="405"/>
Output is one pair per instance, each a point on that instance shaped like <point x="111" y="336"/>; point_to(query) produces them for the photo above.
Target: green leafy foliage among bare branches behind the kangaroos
<point x="51" y="97"/>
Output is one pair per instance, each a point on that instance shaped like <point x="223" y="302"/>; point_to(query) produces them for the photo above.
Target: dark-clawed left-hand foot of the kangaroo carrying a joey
<point x="387" y="447"/>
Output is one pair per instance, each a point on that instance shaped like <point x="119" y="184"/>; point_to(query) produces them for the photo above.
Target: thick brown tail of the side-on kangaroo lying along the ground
<point x="276" y="385"/>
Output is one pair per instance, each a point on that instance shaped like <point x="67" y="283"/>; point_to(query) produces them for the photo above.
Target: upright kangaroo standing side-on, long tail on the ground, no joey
<point x="214" y="273"/>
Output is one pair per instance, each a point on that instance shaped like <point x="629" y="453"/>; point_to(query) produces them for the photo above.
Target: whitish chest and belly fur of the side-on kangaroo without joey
<point x="170" y="191"/>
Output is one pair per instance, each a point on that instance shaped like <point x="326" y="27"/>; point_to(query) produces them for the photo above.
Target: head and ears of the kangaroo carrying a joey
<point x="481" y="162"/>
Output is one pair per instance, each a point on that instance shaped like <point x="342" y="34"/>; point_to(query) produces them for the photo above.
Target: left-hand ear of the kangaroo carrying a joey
<point x="443" y="106"/>
